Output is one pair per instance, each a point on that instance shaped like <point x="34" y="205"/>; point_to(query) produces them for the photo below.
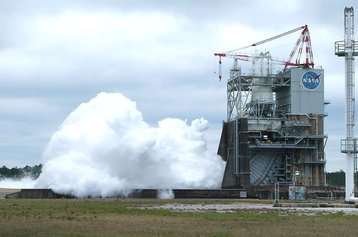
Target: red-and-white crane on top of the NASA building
<point x="304" y="39"/>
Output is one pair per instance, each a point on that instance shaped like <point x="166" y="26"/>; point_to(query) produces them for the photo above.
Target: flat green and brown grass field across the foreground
<point x="129" y="217"/>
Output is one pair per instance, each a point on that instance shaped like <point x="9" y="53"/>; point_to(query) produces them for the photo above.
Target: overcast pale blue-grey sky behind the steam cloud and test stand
<point x="55" y="55"/>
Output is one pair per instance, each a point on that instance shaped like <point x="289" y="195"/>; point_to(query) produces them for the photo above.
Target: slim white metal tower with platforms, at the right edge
<point x="348" y="49"/>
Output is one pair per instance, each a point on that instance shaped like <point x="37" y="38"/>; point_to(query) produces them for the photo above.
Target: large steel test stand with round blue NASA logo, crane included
<point x="274" y="131"/>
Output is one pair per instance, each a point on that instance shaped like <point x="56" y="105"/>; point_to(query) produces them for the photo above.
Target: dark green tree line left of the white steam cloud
<point x="18" y="173"/>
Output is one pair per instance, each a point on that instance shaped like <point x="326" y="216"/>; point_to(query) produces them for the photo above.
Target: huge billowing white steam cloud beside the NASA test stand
<point x="104" y="148"/>
